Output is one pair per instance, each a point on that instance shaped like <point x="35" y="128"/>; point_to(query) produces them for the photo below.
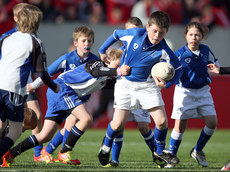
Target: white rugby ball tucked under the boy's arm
<point x="163" y="70"/>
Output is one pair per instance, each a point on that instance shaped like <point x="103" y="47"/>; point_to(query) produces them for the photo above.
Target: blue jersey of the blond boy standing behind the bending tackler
<point x="68" y="61"/>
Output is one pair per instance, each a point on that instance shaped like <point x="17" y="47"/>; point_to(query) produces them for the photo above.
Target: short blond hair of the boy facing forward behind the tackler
<point x="83" y="31"/>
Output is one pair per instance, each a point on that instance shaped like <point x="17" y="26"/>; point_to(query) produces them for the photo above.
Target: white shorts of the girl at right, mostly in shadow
<point x="192" y="103"/>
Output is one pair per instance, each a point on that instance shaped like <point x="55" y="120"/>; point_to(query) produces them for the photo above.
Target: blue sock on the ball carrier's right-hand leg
<point x="160" y="137"/>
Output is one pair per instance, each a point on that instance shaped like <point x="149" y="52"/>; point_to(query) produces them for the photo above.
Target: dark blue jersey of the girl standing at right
<point x="195" y="73"/>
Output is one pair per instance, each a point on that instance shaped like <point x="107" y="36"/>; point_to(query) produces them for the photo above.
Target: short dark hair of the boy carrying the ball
<point x="159" y="18"/>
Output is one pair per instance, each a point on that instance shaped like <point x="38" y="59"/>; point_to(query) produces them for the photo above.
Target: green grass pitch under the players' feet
<point x="135" y="155"/>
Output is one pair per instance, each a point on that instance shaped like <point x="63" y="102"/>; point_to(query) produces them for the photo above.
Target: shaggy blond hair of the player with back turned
<point x="29" y="19"/>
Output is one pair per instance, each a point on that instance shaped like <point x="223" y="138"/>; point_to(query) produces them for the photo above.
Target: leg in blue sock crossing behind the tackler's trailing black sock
<point x="33" y="104"/>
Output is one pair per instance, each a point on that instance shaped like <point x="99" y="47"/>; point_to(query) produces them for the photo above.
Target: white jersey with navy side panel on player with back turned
<point x="21" y="53"/>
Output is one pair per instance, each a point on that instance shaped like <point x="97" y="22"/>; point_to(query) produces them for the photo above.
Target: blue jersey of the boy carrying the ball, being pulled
<point x="141" y="55"/>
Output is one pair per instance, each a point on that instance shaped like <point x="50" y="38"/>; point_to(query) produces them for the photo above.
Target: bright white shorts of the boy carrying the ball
<point x="128" y="95"/>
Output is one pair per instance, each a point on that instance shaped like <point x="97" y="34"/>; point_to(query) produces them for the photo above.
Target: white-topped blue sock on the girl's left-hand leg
<point x="175" y="141"/>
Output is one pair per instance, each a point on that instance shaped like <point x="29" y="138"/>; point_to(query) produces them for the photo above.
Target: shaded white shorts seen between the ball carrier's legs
<point x="139" y="115"/>
